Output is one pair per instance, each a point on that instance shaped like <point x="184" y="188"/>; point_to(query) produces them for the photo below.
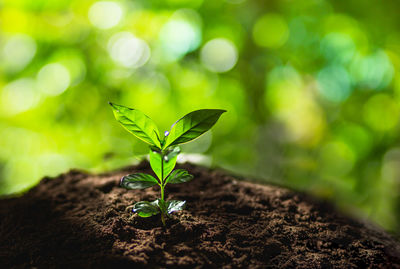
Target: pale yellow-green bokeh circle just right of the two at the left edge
<point x="53" y="79"/>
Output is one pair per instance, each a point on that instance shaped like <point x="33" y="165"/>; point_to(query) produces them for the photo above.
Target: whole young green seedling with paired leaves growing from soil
<point x="164" y="151"/>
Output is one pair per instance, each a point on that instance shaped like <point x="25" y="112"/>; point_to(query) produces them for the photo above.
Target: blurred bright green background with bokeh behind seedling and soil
<point x="312" y="88"/>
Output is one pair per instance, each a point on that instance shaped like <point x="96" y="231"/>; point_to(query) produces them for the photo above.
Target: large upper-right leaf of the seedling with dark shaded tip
<point x="192" y="126"/>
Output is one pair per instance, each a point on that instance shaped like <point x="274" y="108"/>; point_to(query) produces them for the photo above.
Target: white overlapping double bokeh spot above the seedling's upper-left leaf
<point x="128" y="50"/>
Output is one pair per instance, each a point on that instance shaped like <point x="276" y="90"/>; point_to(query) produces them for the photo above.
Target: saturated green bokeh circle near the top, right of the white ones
<point x="271" y="31"/>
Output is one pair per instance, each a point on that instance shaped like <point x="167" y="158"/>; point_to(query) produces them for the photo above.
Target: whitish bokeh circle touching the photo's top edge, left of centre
<point x="105" y="14"/>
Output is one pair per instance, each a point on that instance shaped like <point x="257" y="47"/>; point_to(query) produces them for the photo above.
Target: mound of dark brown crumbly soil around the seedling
<point x="80" y="220"/>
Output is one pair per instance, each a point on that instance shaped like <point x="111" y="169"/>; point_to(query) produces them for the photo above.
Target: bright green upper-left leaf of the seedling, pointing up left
<point x="138" y="124"/>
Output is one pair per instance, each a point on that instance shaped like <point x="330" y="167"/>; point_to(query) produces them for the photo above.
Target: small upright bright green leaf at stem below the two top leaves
<point x="169" y="162"/>
